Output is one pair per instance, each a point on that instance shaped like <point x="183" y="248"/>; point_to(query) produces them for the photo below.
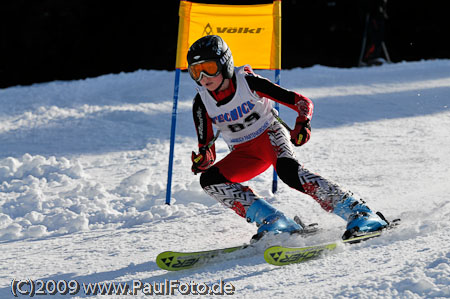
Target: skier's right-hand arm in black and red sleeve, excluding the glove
<point x="291" y="99"/>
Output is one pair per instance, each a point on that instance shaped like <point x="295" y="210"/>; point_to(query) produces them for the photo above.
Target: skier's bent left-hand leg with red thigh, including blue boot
<point x="222" y="182"/>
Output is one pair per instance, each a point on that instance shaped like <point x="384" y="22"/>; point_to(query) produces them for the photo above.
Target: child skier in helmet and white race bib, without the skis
<point x="237" y="102"/>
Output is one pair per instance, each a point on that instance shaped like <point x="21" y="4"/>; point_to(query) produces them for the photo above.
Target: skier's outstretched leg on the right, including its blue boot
<point x="329" y="195"/>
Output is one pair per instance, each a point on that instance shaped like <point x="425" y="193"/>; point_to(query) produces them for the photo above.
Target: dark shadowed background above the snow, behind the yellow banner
<point x="46" y="40"/>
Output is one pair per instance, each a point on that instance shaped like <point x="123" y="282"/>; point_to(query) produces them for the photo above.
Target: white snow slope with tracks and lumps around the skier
<point x="83" y="170"/>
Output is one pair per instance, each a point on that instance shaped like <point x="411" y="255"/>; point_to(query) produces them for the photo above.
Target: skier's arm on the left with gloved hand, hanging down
<point x="205" y="133"/>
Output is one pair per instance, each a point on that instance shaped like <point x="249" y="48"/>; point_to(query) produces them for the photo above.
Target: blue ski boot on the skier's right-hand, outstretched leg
<point x="358" y="216"/>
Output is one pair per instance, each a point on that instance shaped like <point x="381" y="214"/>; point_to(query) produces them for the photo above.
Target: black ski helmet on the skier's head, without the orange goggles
<point x="212" y="47"/>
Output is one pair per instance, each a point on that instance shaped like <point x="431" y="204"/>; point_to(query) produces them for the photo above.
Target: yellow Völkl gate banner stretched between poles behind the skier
<point x="253" y="32"/>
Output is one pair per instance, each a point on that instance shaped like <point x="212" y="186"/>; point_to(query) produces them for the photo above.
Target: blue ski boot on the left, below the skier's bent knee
<point x="269" y="219"/>
